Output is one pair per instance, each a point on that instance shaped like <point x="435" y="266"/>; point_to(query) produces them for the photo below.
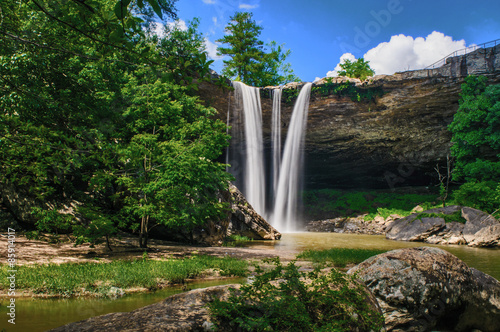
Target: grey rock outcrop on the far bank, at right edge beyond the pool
<point x="478" y="228"/>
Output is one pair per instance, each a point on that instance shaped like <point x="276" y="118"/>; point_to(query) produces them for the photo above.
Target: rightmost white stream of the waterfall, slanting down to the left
<point x="286" y="204"/>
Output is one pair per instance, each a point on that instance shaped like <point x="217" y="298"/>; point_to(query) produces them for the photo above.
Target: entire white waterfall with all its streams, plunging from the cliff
<point x="246" y="154"/>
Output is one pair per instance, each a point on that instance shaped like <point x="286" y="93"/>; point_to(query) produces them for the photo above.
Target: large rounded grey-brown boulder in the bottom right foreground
<point x="423" y="289"/>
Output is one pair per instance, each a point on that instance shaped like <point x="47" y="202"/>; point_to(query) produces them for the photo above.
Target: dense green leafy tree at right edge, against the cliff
<point x="476" y="143"/>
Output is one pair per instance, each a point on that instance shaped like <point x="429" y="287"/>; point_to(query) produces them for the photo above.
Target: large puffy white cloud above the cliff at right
<point x="406" y="53"/>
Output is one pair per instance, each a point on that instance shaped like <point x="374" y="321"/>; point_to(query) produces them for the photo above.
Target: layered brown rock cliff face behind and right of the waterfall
<point x="388" y="131"/>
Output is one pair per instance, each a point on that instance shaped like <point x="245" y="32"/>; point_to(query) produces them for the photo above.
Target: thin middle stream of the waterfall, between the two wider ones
<point x="276" y="138"/>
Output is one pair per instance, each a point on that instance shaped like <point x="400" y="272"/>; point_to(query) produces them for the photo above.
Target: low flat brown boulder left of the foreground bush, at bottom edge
<point x="181" y="312"/>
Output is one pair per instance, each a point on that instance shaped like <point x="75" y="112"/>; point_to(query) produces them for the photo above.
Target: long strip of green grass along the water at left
<point x="72" y="279"/>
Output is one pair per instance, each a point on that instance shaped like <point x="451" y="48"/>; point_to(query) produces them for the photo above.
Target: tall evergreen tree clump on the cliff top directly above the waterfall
<point x="249" y="61"/>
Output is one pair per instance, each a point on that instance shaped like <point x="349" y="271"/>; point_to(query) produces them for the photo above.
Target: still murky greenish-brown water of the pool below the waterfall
<point x="42" y="314"/>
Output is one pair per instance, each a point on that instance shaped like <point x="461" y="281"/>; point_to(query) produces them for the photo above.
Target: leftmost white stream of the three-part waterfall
<point x="254" y="187"/>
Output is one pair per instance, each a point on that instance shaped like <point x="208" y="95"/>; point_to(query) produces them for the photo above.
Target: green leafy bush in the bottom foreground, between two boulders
<point x="282" y="300"/>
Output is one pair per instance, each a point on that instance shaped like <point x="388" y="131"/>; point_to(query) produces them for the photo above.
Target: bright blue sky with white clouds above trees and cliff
<point x="394" y="35"/>
